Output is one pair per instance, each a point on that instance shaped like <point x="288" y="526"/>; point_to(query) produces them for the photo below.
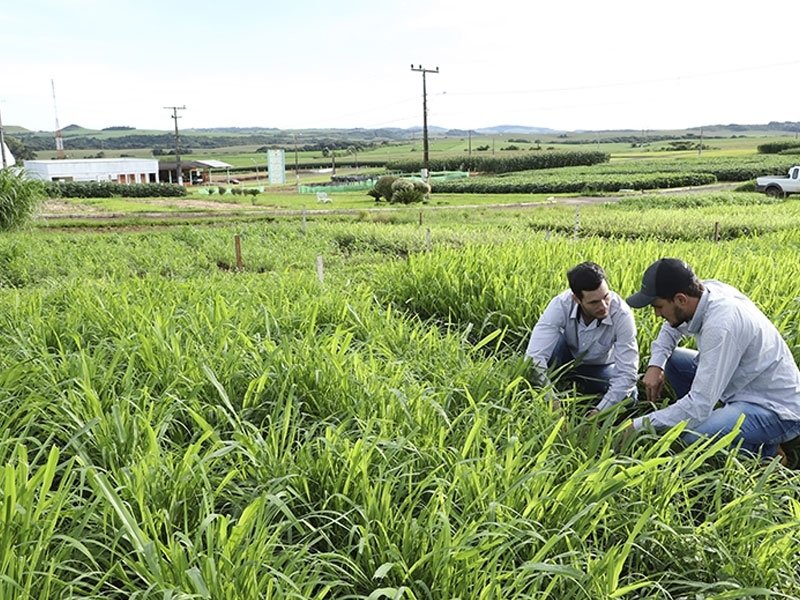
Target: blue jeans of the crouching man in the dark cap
<point x="761" y="431"/>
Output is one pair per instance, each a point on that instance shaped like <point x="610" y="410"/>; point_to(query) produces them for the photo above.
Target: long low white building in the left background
<point x="117" y="170"/>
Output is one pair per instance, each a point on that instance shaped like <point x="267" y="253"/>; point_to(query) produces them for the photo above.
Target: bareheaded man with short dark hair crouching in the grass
<point x="592" y="328"/>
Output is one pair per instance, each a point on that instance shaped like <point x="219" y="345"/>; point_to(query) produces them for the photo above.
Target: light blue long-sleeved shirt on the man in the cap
<point x="742" y="358"/>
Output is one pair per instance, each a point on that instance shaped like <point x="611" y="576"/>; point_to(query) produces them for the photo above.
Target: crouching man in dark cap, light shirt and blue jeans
<point x="742" y="365"/>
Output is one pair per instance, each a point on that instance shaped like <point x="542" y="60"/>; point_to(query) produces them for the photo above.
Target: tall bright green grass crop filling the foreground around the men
<point x="348" y="415"/>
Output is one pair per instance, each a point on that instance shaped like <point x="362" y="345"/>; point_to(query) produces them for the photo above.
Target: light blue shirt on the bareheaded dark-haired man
<point x="610" y="341"/>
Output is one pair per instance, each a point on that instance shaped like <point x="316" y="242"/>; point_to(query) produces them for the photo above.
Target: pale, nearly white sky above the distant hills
<point x="563" y="64"/>
